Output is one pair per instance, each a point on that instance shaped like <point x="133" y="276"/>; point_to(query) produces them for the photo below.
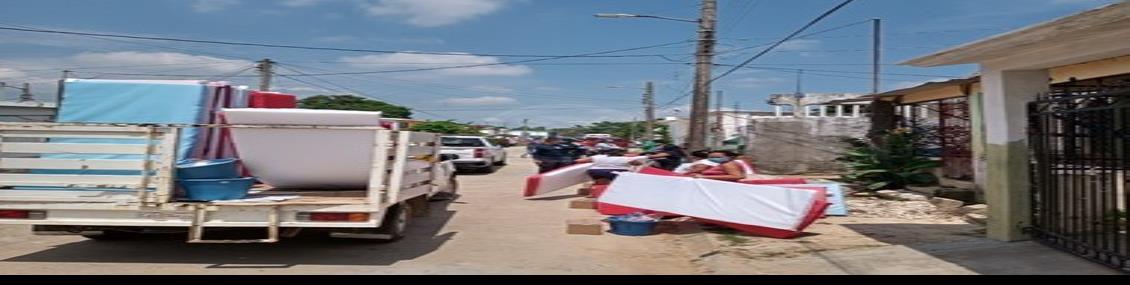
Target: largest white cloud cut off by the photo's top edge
<point x="436" y="13"/>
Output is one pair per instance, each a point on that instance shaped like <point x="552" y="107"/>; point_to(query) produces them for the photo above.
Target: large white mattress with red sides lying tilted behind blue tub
<point x="773" y="212"/>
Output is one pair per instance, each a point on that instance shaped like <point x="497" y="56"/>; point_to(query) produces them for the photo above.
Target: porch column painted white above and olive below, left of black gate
<point x="1007" y="178"/>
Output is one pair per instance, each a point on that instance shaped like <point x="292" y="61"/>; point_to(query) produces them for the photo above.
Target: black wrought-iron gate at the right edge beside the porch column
<point x="1081" y="162"/>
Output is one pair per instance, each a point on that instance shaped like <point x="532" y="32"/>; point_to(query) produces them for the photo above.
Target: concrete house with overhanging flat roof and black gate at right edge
<point x="1053" y="131"/>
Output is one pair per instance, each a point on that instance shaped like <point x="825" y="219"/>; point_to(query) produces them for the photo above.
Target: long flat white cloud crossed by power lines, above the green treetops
<point x="484" y="66"/>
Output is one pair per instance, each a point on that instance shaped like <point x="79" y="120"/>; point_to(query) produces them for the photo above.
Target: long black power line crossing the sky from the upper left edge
<point x="42" y="31"/>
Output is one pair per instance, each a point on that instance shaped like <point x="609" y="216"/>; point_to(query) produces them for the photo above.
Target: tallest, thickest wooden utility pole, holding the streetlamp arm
<point x="700" y="108"/>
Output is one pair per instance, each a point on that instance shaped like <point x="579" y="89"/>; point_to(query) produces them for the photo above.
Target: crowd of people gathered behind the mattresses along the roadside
<point x="607" y="165"/>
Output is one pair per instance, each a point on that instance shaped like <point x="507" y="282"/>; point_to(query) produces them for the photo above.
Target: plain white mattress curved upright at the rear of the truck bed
<point x="307" y="159"/>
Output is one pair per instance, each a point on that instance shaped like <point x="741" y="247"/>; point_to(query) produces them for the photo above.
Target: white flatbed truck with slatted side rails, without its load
<point x="406" y="174"/>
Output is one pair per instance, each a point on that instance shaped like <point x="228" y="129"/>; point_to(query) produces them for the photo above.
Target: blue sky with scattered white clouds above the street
<point x="550" y="93"/>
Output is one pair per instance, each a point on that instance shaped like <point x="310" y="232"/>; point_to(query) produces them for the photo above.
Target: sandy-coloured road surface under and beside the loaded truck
<point x="491" y="230"/>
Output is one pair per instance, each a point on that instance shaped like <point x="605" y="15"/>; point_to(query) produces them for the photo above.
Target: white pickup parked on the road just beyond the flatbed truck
<point x="475" y="153"/>
